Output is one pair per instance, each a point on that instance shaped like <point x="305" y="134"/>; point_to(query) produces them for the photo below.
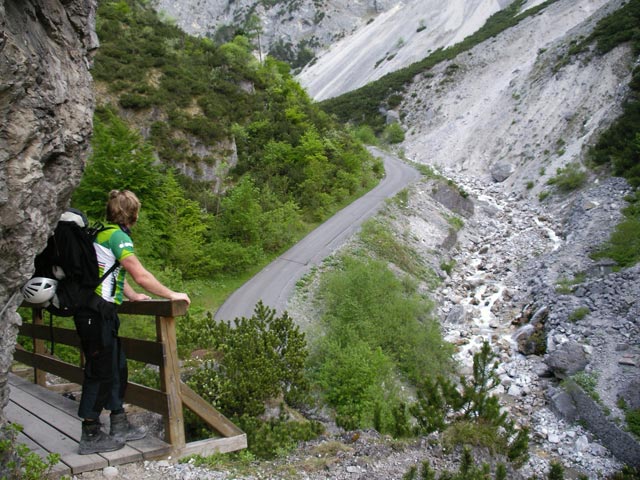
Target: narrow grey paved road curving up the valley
<point x="275" y="283"/>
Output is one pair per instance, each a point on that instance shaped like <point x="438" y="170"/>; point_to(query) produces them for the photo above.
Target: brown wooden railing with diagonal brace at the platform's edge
<point x="173" y="394"/>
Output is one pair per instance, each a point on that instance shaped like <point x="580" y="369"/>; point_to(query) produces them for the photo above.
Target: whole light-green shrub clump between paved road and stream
<point x="375" y="326"/>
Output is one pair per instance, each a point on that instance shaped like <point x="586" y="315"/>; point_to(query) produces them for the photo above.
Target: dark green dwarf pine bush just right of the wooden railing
<point x="258" y="359"/>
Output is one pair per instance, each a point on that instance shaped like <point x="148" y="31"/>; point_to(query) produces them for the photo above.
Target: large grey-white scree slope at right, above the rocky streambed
<point x="505" y="104"/>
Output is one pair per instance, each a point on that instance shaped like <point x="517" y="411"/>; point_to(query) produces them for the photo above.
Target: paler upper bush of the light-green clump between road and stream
<point x="365" y="300"/>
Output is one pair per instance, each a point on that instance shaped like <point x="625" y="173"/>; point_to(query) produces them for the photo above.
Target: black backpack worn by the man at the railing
<point x="70" y="258"/>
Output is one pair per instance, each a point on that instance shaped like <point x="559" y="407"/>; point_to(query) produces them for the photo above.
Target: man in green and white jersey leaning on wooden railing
<point x="105" y="373"/>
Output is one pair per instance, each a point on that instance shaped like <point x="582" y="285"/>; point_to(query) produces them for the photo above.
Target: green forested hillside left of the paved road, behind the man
<point x="231" y="159"/>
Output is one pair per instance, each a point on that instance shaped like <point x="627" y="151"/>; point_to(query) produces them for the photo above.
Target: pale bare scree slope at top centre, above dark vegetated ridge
<point x="404" y="34"/>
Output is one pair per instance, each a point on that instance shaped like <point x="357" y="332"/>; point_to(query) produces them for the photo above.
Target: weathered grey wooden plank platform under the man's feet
<point x="51" y="425"/>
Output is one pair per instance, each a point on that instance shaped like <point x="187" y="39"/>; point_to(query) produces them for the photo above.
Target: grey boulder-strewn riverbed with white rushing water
<point x="515" y="261"/>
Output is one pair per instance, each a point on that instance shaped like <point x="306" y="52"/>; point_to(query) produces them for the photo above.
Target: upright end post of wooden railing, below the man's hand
<point x="170" y="382"/>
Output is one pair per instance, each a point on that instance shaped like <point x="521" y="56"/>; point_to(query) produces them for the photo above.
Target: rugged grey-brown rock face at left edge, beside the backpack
<point x="46" y="108"/>
